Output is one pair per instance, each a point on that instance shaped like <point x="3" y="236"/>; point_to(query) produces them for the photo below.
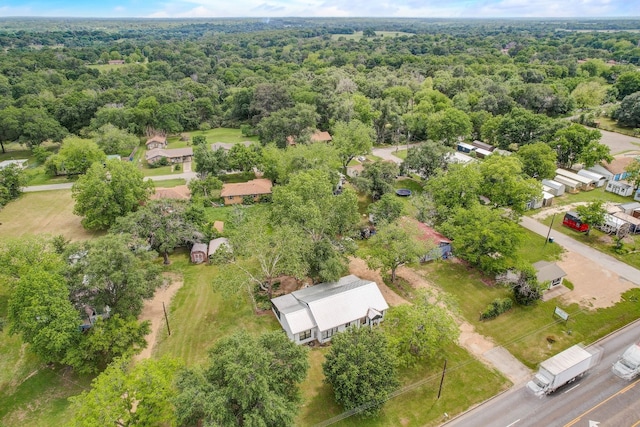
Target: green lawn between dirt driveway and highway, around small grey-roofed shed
<point x="531" y="333"/>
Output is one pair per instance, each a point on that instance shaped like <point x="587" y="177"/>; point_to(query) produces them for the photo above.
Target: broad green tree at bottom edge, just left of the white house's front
<point x="247" y="380"/>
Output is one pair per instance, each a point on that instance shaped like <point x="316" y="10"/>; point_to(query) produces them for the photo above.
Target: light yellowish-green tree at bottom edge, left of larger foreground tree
<point x="125" y="395"/>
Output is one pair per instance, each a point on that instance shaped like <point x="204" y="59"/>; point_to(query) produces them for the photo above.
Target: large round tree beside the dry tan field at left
<point x="108" y="192"/>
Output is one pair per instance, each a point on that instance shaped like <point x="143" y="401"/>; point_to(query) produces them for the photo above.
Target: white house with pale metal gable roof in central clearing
<point x="321" y="311"/>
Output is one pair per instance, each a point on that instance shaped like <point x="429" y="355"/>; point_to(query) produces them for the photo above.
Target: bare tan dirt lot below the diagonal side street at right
<point x="594" y="286"/>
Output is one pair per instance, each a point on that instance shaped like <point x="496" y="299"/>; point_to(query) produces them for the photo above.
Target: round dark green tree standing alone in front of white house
<point x="361" y="369"/>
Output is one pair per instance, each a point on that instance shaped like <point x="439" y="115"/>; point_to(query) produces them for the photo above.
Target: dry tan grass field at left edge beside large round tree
<point x="45" y="212"/>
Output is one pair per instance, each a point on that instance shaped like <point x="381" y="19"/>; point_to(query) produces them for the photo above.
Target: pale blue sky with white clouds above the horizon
<point x="320" y="8"/>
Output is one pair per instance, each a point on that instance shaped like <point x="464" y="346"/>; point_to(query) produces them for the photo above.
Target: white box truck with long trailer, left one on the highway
<point x="561" y="369"/>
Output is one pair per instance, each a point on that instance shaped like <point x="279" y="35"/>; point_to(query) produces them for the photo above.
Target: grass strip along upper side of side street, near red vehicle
<point x="601" y="241"/>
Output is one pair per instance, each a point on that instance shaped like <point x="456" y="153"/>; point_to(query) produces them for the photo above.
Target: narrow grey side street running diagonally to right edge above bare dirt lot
<point x="605" y="261"/>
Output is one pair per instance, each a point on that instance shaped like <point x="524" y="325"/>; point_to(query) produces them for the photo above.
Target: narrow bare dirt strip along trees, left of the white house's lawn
<point x="153" y="312"/>
